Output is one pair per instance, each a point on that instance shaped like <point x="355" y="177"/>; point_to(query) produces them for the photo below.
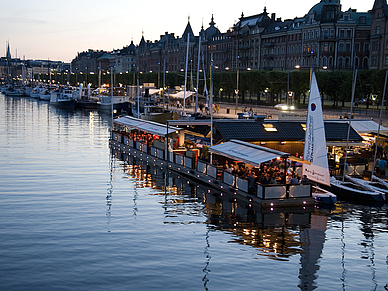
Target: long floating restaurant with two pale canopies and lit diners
<point x="165" y="145"/>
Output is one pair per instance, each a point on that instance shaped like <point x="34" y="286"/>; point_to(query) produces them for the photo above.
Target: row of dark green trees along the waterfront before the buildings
<point x="334" y="85"/>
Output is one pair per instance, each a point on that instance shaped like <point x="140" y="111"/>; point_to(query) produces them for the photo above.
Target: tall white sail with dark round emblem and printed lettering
<point x="315" y="139"/>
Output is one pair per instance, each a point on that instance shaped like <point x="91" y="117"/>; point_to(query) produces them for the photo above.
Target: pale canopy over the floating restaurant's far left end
<point x="146" y="126"/>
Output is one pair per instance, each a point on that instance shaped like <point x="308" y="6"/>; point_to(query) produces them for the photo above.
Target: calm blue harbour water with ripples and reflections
<point x="75" y="216"/>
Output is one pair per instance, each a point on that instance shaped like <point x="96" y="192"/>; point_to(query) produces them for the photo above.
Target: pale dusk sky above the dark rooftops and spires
<point x="57" y="30"/>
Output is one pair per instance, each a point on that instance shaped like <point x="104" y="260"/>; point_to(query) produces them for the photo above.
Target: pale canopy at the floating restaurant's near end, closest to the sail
<point x="249" y="153"/>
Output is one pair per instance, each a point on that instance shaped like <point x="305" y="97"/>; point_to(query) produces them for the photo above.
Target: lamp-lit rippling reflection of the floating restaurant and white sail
<point x="275" y="235"/>
